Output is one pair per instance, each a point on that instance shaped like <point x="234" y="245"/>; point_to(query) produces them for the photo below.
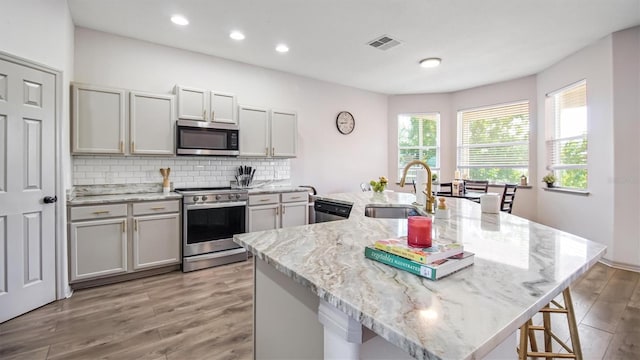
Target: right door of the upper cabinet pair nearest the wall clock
<point x="283" y="133"/>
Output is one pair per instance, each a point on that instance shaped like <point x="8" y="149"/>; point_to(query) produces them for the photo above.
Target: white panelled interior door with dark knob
<point x="27" y="176"/>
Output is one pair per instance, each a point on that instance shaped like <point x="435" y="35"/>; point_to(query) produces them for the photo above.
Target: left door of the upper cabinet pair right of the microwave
<point x="254" y="131"/>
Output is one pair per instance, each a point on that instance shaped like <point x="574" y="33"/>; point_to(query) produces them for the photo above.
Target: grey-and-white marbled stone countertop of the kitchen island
<point x="519" y="267"/>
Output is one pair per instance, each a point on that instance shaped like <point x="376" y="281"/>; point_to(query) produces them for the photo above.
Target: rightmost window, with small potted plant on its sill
<point x="567" y="135"/>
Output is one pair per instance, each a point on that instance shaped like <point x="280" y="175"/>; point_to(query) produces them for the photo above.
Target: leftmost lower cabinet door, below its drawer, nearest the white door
<point x="98" y="248"/>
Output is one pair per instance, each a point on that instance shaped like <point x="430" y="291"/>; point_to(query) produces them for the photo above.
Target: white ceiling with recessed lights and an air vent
<point x="480" y="41"/>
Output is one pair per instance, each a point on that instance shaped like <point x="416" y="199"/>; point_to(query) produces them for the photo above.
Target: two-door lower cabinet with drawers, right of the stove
<point x="273" y="211"/>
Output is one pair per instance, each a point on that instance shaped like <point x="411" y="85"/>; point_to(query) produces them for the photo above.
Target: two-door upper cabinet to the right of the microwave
<point x="266" y="133"/>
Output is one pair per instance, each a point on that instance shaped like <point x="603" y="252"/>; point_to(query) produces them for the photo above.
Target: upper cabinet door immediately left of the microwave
<point x="152" y="123"/>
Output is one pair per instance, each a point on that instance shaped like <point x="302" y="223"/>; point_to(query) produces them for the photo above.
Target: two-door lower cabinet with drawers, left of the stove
<point x="114" y="239"/>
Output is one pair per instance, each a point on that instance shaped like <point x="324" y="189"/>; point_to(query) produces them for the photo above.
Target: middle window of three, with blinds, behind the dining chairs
<point x="493" y="142"/>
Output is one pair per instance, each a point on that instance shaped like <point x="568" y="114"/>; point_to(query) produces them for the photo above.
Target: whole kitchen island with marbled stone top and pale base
<point x="313" y="284"/>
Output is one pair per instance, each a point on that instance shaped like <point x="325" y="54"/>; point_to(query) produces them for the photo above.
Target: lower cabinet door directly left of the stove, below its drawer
<point x="154" y="240"/>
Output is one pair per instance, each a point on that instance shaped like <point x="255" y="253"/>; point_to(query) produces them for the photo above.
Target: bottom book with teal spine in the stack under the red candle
<point x="432" y="271"/>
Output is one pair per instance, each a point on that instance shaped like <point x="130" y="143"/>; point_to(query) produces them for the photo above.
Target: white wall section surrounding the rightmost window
<point x="587" y="216"/>
